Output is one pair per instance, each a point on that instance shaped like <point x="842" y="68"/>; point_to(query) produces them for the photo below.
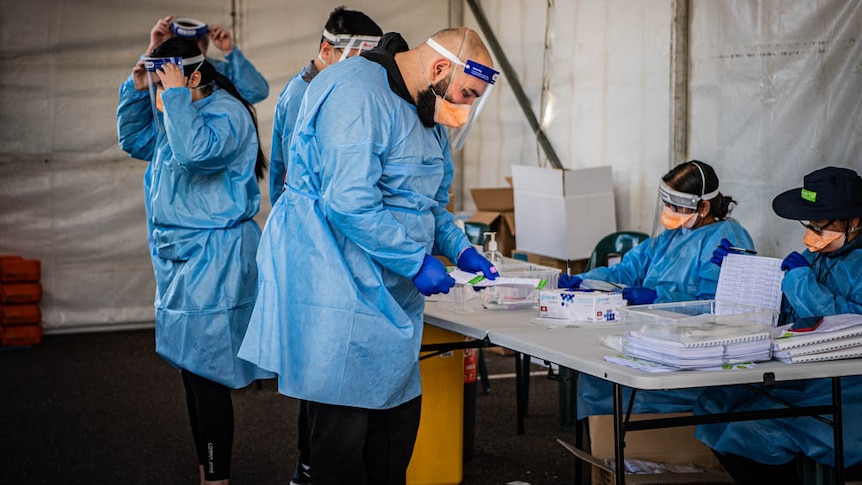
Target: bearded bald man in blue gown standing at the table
<point x="346" y="259"/>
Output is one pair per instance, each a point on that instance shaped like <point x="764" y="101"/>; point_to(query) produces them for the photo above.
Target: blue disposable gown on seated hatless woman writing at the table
<point x="676" y="264"/>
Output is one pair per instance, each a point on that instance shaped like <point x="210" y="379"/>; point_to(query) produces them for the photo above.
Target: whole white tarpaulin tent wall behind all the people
<point x="774" y="93"/>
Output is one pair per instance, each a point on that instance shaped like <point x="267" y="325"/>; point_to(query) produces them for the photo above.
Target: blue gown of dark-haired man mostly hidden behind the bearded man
<point x="286" y="110"/>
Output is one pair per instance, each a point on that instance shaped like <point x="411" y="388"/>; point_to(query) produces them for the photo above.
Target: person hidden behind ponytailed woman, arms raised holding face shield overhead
<point x="249" y="82"/>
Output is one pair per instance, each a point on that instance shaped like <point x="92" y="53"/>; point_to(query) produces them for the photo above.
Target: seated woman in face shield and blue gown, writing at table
<point x="679" y="264"/>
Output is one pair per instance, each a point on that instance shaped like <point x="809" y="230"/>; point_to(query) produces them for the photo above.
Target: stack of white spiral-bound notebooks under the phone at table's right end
<point x="835" y="337"/>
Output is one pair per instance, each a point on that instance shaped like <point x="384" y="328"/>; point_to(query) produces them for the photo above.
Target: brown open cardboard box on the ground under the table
<point x="670" y="446"/>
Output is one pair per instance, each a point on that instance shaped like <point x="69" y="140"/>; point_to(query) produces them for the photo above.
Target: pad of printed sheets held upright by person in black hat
<point x="750" y="280"/>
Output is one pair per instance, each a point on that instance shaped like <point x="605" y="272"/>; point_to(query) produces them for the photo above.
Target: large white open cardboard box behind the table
<point x="563" y="213"/>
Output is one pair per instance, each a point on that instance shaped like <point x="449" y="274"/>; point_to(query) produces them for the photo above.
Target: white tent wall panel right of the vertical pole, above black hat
<point x="775" y="94"/>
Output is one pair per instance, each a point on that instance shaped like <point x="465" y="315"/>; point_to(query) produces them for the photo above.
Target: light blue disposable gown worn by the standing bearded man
<point x="337" y="315"/>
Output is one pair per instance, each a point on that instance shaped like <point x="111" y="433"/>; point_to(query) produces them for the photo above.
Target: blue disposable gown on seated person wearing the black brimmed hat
<point x="832" y="285"/>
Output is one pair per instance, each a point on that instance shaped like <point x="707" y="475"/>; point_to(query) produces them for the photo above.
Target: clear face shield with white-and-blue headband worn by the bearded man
<point x="487" y="77"/>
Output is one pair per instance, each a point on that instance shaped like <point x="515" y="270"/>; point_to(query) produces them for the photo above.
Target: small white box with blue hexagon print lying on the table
<point x="580" y="306"/>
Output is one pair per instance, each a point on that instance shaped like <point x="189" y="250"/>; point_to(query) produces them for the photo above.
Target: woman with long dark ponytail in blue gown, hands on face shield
<point x="200" y="195"/>
